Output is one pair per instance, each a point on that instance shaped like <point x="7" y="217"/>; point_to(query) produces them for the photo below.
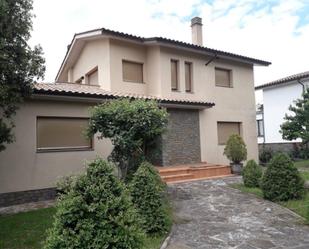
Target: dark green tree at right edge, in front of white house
<point x="296" y="124"/>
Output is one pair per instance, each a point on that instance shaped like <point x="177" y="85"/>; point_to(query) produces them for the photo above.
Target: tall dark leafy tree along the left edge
<point x="20" y="65"/>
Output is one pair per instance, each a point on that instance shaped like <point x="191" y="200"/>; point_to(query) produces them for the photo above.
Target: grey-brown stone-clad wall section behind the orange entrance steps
<point x="181" y="141"/>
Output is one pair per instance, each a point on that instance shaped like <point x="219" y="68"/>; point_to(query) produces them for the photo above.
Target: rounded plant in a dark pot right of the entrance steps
<point x="235" y="150"/>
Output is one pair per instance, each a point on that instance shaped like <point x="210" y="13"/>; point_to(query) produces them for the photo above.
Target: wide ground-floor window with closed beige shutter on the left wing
<point x="61" y="133"/>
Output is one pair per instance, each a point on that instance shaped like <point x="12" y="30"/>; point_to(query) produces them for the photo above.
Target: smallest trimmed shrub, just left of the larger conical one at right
<point x="252" y="174"/>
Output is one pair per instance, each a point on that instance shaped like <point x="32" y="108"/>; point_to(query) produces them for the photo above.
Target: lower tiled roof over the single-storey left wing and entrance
<point x="80" y="90"/>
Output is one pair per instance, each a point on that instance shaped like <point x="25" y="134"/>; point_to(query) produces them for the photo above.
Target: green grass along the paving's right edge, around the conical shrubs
<point x="300" y="207"/>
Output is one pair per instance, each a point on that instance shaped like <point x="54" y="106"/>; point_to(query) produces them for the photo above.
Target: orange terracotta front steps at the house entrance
<point x="185" y="173"/>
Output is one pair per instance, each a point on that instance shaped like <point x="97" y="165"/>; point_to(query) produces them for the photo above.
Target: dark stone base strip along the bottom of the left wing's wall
<point x="21" y="197"/>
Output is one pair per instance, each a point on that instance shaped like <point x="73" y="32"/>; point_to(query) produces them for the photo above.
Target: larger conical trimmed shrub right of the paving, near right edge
<point x="281" y="180"/>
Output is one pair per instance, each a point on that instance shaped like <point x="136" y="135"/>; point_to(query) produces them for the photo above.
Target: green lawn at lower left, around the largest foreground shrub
<point x="28" y="230"/>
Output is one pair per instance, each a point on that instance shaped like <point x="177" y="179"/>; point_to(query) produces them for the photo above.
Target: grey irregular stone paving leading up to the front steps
<point x="210" y="214"/>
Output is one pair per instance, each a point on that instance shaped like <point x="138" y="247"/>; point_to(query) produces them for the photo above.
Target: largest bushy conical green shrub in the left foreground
<point x="95" y="211"/>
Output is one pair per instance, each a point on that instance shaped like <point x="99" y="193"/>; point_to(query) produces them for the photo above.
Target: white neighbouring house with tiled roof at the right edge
<point x="278" y="95"/>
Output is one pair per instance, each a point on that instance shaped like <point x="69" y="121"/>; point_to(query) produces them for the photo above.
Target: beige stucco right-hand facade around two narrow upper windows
<point x="236" y="104"/>
